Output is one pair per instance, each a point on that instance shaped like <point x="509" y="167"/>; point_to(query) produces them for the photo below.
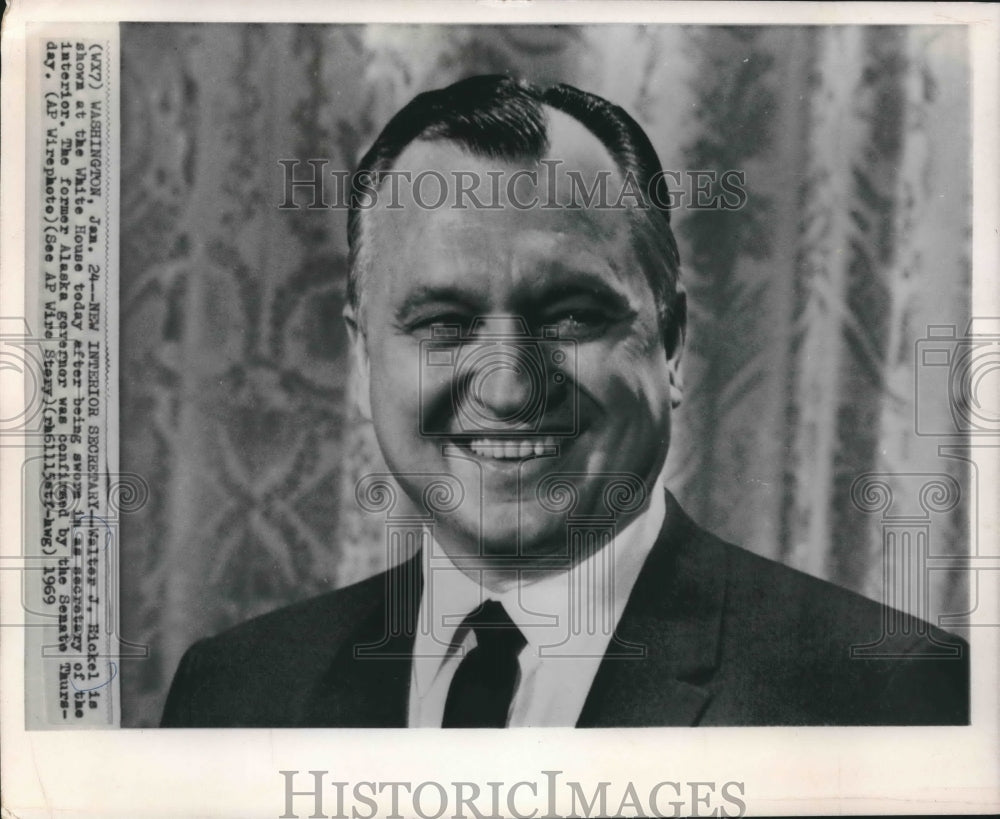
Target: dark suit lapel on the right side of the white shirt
<point x="674" y="613"/>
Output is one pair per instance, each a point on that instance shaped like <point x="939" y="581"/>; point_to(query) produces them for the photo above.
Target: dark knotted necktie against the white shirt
<point x="483" y="685"/>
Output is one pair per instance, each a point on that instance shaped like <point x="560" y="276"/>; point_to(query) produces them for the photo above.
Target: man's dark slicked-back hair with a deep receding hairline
<point x="499" y="117"/>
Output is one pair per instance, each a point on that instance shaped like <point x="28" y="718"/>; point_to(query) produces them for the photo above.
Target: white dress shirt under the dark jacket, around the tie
<point x="567" y="620"/>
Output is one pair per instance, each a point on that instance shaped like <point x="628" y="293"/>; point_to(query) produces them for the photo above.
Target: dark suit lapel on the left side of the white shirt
<point x="368" y="682"/>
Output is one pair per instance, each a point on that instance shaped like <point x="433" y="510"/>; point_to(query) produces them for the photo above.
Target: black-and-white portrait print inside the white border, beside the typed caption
<point x="469" y="302"/>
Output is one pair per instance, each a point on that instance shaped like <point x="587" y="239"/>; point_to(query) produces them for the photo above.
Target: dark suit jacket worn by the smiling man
<point x="731" y="639"/>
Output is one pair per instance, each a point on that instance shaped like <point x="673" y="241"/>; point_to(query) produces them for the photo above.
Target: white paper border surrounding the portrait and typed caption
<point x="784" y="771"/>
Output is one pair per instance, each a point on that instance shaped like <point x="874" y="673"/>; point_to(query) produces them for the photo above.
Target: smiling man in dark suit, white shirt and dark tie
<point x="518" y="342"/>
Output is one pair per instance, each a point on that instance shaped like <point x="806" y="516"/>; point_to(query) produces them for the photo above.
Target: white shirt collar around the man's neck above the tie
<point x="536" y="605"/>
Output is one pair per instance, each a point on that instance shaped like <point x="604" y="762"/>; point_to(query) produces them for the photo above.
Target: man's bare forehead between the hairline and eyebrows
<point x="502" y="241"/>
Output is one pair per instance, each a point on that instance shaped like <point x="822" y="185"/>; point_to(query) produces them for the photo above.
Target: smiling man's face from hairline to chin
<point x="496" y="411"/>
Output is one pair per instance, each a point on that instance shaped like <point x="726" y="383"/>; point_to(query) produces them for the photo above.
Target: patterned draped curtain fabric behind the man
<point x="807" y="304"/>
